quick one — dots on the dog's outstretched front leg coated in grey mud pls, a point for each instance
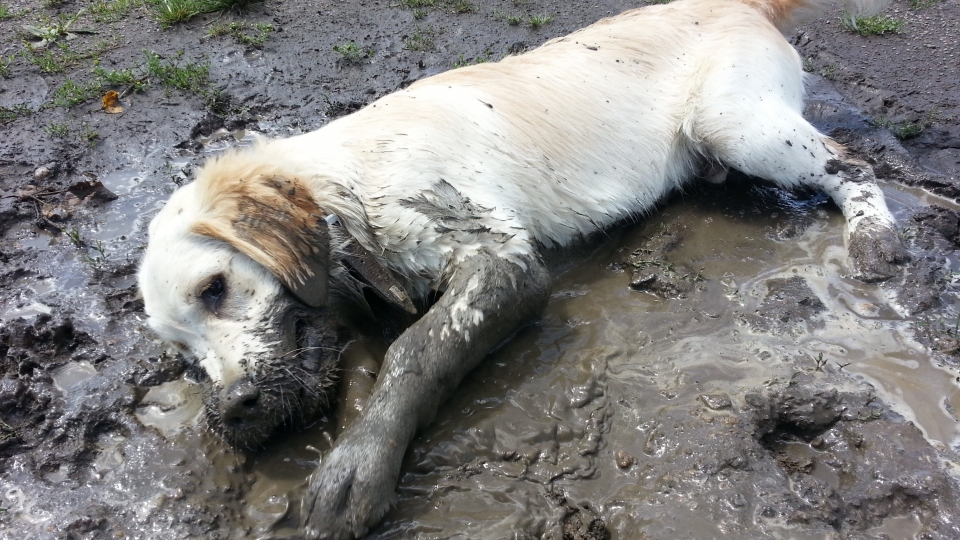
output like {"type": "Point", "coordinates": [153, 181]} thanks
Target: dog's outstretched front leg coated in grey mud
{"type": "Point", "coordinates": [488, 299]}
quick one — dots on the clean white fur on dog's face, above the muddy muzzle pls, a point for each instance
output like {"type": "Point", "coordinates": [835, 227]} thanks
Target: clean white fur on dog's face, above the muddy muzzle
{"type": "Point", "coordinates": [176, 268]}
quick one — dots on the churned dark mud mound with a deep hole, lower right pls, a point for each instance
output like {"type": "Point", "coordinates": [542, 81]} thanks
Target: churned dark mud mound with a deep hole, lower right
{"type": "Point", "coordinates": [850, 465]}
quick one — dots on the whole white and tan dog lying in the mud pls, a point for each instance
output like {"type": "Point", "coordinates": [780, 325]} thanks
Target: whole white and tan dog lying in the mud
{"type": "Point", "coordinates": [434, 205]}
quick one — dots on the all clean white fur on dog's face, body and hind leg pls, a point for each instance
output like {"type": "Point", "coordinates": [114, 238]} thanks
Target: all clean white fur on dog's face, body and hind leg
{"type": "Point", "coordinates": [578, 135]}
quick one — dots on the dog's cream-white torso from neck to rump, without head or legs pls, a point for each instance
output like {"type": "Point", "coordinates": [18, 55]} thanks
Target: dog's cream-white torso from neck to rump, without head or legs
{"type": "Point", "coordinates": [586, 131]}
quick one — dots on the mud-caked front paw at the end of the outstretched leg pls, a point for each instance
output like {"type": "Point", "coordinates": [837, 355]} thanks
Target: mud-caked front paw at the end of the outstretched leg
{"type": "Point", "coordinates": [350, 491]}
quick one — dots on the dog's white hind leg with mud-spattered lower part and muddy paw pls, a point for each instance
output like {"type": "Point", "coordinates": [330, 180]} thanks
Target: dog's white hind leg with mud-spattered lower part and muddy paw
{"type": "Point", "coordinates": [776, 143]}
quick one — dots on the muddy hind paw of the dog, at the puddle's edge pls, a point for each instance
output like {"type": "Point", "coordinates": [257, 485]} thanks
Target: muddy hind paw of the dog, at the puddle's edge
{"type": "Point", "coordinates": [876, 253]}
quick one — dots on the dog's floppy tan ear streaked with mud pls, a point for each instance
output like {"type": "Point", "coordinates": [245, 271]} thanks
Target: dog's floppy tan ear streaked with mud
{"type": "Point", "coordinates": [277, 223]}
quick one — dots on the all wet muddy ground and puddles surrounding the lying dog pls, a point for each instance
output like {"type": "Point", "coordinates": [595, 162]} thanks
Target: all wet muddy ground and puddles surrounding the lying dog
{"type": "Point", "coordinates": [98, 429]}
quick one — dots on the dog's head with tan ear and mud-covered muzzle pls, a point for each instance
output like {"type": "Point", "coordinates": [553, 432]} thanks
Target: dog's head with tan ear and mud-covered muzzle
{"type": "Point", "coordinates": [235, 276]}
